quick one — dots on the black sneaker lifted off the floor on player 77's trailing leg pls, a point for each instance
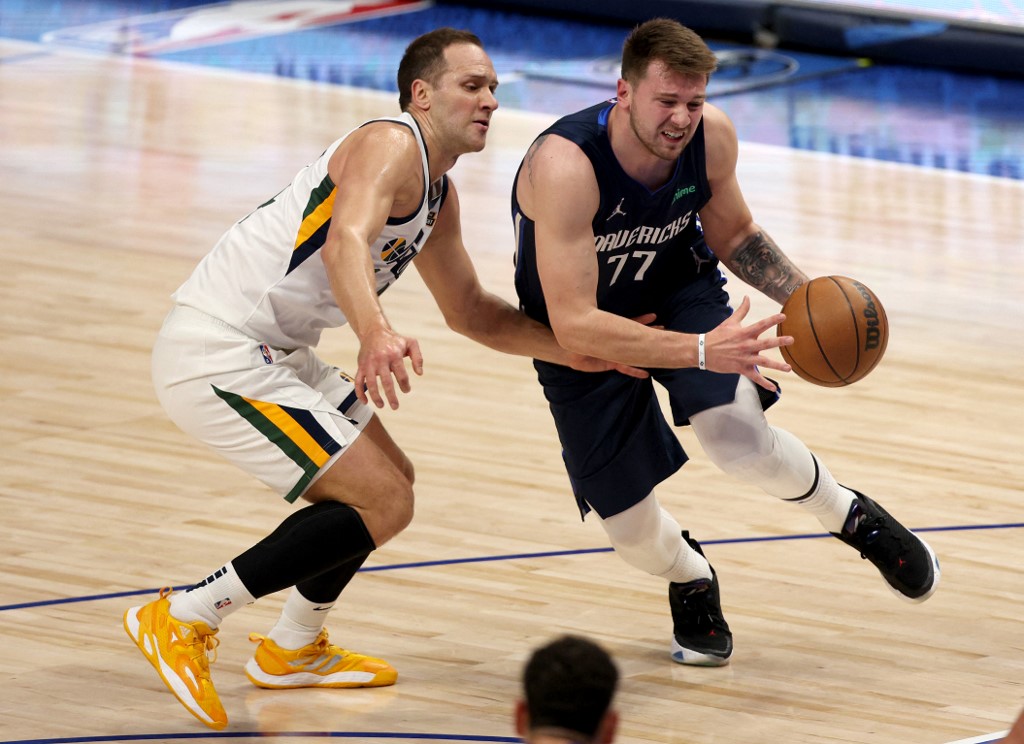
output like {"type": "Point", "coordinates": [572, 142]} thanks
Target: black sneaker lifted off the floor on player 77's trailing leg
{"type": "Point", "coordinates": [906, 561]}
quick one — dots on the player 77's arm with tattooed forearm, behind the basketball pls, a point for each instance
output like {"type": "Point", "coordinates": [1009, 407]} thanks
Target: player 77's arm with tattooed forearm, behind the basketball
{"type": "Point", "coordinates": [730, 229]}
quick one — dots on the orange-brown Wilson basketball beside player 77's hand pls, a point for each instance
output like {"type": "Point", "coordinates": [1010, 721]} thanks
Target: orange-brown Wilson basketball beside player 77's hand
{"type": "Point", "coordinates": [839, 328]}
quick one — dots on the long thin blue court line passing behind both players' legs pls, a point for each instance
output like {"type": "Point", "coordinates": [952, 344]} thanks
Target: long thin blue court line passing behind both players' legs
{"type": "Point", "coordinates": [513, 557]}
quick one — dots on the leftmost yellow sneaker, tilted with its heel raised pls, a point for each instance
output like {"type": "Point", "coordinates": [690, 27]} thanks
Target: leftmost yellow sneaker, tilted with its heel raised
{"type": "Point", "coordinates": [179, 651]}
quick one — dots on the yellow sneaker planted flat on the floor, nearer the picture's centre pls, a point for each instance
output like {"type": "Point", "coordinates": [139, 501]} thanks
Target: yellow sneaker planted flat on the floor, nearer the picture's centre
{"type": "Point", "coordinates": [319, 665]}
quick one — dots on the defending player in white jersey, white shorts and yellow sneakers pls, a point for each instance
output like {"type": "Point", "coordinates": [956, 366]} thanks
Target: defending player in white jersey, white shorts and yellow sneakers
{"type": "Point", "coordinates": [234, 367]}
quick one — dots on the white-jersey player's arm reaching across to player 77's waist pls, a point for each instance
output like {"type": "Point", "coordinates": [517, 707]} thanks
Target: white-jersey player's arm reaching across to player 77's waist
{"type": "Point", "coordinates": [474, 312]}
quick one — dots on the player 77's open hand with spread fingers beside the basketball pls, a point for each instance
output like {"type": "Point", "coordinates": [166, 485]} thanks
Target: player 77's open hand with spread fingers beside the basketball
{"type": "Point", "coordinates": [737, 348]}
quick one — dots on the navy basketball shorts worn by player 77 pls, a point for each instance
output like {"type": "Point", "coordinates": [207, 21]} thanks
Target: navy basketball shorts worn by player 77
{"type": "Point", "coordinates": [617, 444]}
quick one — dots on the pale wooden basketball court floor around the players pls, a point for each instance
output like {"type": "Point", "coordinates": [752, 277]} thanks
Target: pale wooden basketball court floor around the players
{"type": "Point", "coordinates": [116, 177]}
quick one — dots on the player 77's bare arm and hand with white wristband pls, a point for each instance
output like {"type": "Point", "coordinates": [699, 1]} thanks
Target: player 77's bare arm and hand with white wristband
{"type": "Point", "coordinates": [559, 191]}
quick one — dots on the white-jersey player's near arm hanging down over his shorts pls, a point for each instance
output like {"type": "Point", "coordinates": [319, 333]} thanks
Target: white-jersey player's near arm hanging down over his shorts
{"type": "Point", "coordinates": [378, 172]}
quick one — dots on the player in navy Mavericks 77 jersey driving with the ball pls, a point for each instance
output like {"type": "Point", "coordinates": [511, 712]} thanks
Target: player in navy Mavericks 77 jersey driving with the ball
{"type": "Point", "coordinates": [627, 208]}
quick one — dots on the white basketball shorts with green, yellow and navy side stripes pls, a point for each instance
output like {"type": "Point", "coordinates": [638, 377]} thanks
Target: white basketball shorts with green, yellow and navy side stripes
{"type": "Point", "coordinates": [283, 416]}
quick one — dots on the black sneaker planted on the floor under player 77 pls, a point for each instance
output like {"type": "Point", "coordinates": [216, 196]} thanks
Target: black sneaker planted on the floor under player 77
{"type": "Point", "coordinates": [700, 634]}
